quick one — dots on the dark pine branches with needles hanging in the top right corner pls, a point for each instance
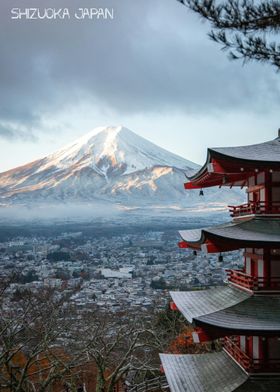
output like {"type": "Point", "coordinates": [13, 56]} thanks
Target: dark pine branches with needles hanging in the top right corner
{"type": "Point", "coordinates": [247, 29]}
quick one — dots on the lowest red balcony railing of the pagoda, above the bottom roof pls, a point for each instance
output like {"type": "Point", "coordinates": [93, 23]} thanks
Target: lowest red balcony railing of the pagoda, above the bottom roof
{"type": "Point", "coordinates": [251, 365]}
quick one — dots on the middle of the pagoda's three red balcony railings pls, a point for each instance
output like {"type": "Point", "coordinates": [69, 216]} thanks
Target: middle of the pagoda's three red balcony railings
{"type": "Point", "coordinates": [253, 283]}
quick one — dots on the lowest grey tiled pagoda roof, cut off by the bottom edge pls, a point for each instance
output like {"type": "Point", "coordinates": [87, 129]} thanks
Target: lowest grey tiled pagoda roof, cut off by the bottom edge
{"type": "Point", "coordinates": [212, 372]}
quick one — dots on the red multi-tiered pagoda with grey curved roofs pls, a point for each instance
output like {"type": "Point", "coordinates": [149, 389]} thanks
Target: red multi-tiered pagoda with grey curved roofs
{"type": "Point", "coordinates": [245, 312]}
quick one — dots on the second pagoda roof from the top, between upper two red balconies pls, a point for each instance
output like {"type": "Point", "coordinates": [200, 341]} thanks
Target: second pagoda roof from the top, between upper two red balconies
{"type": "Point", "coordinates": [254, 231]}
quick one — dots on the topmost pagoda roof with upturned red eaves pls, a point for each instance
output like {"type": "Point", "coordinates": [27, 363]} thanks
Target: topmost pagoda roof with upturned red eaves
{"type": "Point", "coordinates": [233, 165]}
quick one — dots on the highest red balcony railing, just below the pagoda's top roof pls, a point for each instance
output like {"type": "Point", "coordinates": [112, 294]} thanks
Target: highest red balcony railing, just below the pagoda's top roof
{"type": "Point", "coordinates": [258, 208]}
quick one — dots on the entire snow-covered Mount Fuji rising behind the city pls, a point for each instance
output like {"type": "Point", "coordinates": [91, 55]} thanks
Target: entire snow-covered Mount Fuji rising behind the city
{"type": "Point", "coordinates": [109, 164]}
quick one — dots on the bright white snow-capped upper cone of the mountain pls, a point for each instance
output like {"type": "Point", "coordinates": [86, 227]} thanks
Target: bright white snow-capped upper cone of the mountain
{"type": "Point", "coordinates": [110, 149]}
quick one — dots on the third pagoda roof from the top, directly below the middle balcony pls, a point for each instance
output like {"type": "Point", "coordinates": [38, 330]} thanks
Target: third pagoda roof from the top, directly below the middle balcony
{"type": "Point", "coordinates": [231, 308]}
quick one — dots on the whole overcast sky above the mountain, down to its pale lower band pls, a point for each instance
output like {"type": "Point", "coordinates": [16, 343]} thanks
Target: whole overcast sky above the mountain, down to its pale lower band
{"type": "Point", "coordinates": [152, 69]}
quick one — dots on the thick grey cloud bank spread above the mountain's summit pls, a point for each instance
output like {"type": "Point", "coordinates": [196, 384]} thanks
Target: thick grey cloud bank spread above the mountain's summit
{"type": "Point", "coordinates": [152, 58]}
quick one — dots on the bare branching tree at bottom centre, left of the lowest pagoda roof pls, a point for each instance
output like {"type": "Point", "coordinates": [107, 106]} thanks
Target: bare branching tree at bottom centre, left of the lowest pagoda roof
{"type": "Point", "coordinates": [117, 345]}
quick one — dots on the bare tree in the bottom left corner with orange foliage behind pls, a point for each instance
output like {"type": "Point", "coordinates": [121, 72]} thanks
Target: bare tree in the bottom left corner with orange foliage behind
{"type": "Point", "coordinates": [30, 329]}
